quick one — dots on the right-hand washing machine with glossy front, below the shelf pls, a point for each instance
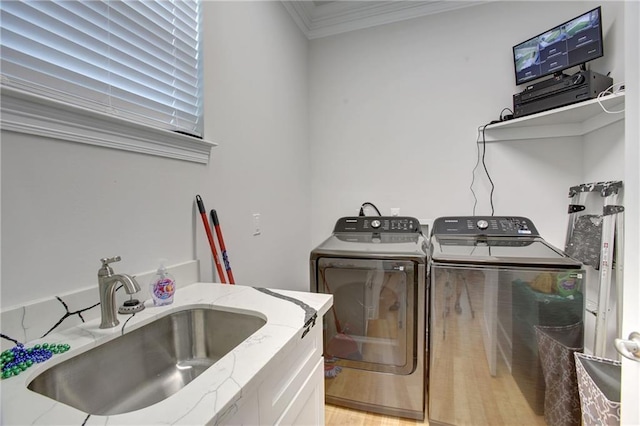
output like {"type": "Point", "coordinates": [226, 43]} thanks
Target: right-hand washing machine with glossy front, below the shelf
{"type": "Point", "coordinates": [493, 282]}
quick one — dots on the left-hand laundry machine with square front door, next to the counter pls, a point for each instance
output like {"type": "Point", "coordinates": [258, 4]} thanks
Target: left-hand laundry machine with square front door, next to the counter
{"type": "Point", "coordinates": [375, 334]}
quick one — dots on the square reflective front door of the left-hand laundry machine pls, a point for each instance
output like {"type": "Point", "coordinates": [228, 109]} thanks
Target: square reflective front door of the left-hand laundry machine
{"type": "Point", "coordinates": [373, 319]}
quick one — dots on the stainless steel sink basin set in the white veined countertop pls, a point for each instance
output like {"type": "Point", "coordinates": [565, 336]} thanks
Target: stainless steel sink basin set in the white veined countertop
{"type": "Point", "coordinates": [148, 364]}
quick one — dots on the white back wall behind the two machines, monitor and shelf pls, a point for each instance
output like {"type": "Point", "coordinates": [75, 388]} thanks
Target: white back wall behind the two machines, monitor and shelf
{"type": "Point", "coordinates": [395, 111]}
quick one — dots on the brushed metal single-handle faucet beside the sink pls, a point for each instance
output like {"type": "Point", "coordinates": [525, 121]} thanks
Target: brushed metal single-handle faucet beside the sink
{"type": "Point", "coordinates": [107, 282]}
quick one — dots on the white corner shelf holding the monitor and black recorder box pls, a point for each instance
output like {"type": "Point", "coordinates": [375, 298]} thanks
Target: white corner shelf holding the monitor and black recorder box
{"type": "Point", "coordinates": [572, 120]}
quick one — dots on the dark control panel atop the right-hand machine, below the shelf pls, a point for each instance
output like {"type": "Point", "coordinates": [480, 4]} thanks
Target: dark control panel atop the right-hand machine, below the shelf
{"type": "Point", "coordinates": [505, 226]}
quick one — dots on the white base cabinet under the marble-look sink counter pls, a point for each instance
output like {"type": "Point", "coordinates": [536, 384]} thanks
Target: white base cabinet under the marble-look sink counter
{"type": "Point", "coordinates": [293, 391]}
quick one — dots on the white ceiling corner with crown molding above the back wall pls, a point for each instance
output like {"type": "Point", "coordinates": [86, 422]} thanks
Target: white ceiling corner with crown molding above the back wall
{"type": "Point", "coordinates": [324, 18]}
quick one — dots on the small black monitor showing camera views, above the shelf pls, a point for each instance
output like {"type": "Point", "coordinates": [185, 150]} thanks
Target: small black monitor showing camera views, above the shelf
{"type": "Point", "coordinates": [572, 43]}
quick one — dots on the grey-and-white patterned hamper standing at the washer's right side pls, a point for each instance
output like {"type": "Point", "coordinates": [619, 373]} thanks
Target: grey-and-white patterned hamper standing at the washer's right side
{"type": "Point", "coordinates": [599, 386]}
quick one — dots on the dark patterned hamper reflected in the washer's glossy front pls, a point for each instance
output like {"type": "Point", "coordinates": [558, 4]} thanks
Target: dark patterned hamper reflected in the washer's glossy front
{"type": "Point", "coordinates": [556, 348]}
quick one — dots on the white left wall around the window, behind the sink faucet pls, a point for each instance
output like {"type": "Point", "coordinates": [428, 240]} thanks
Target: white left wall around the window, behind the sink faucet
{"type": "Point", "coordinates": [66, 205]}
